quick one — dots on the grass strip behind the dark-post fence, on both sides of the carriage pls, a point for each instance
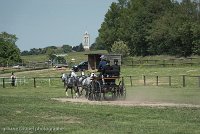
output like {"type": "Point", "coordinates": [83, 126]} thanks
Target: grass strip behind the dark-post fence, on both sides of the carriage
{"type": "Point", "coordinates": [176, 74]}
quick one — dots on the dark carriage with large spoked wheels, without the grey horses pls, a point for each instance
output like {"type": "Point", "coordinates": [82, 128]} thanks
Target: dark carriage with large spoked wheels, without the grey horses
{"type": "Point", "coordinates": [107, 86]}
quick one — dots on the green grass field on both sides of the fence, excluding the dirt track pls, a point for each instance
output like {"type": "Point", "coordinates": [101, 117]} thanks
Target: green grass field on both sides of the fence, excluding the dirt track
{"type": "Point", "coordinates": [25, 109]}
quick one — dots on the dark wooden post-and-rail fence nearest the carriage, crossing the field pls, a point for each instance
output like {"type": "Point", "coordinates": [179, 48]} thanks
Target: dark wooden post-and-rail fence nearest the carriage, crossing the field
{"type": "Point", "coordinates": [144, 80]}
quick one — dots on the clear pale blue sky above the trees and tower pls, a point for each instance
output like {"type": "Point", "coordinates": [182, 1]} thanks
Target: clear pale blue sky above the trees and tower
{"type": "Point", "coordinates": [42, 23]}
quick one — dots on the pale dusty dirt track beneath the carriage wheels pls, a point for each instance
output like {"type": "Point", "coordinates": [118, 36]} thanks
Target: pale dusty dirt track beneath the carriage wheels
{"type": "Point", "coordinates": [125, 103]}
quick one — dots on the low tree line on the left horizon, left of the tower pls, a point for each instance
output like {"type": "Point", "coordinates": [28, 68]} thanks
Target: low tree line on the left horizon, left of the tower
{"type": "Point", "coordinates": [10, 54]}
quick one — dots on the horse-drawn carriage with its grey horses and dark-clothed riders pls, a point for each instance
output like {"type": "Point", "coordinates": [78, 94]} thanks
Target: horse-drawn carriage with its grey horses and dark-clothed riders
{"type": "Point", "coordinates": [108, 85]}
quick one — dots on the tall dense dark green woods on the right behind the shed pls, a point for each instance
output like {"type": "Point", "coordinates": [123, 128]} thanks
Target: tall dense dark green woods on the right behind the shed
{"type": "Point", "coordinates": [155, 27]}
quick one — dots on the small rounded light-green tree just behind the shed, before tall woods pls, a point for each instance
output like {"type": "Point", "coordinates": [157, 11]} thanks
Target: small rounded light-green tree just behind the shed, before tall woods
{"type": "Point", "coordinates": [119, 47]}
